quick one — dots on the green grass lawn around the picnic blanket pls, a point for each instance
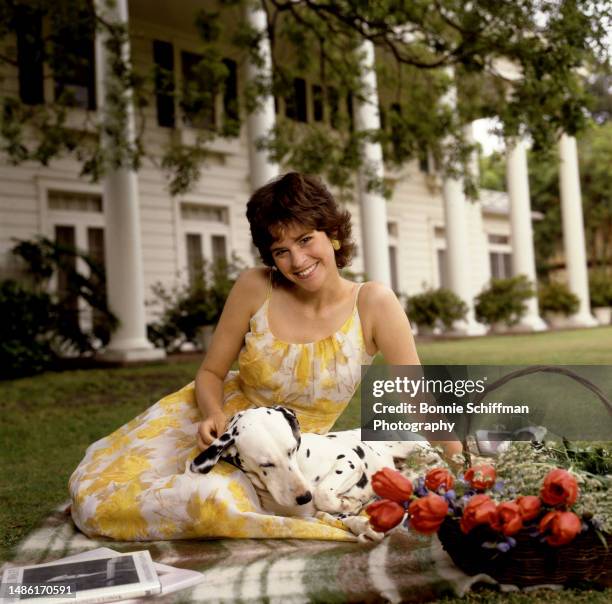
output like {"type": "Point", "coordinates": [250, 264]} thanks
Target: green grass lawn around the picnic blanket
{"type": "Point", "coordinates": [48, 420]}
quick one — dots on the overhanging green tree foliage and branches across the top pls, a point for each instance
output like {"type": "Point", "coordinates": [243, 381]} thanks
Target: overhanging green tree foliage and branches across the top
{"type": "Point", "coordinates": [417, 42]}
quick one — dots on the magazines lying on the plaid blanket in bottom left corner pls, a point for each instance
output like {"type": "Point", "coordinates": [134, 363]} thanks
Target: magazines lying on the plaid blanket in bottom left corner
{"type": "Point", "coordinates": [99, 575]}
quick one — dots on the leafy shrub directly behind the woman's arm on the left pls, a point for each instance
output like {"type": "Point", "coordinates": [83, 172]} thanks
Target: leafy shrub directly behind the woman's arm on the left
{"type": "Point", "coordinates": [187, 308]}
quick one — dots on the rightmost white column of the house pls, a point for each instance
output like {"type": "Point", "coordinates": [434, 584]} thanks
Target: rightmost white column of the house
{"type": "Point", "coordinates": [573, 230]}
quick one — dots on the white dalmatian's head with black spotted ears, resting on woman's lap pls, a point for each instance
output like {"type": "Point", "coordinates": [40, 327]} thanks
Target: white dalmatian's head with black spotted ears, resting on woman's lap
{"type": "Point", "coordinates": [263, 443]}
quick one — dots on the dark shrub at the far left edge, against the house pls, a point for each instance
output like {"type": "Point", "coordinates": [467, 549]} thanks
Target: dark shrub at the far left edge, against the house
{"type": "Point", "coordinates": [25, 330]}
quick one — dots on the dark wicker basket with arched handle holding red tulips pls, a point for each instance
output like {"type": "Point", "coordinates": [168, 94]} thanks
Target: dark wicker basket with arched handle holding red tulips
{"type": "Point", "coordinates": [532, 562]}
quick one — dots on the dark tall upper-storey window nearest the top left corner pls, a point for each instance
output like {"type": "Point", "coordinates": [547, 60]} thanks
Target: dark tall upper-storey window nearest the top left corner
{"type": "Point", "coordinates": [28, 27]}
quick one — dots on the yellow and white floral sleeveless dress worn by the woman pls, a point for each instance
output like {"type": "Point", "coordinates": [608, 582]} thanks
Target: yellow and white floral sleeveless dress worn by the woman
{"type": "Point", "coordinates": [132, 485]}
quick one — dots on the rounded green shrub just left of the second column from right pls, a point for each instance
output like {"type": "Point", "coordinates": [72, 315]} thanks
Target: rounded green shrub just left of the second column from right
{"type": "Point", "coordinates": [504, 301]}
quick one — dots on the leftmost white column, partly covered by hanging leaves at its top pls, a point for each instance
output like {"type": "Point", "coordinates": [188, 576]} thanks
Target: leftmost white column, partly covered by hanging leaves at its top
{"type": "Point", "coordinates": [123, 250]}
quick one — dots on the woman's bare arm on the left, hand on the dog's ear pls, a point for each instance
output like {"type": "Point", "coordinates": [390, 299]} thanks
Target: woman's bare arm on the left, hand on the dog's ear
{"type": "Point", "coordinates": [245, 297]}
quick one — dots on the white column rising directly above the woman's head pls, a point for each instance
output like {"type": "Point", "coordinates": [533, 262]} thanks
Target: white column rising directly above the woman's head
{"type": "Point", "coordinates": [261, 121]}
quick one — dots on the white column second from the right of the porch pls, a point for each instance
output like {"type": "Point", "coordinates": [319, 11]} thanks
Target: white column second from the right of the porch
{"type": "Point", "coordinates": [523, 255]}
